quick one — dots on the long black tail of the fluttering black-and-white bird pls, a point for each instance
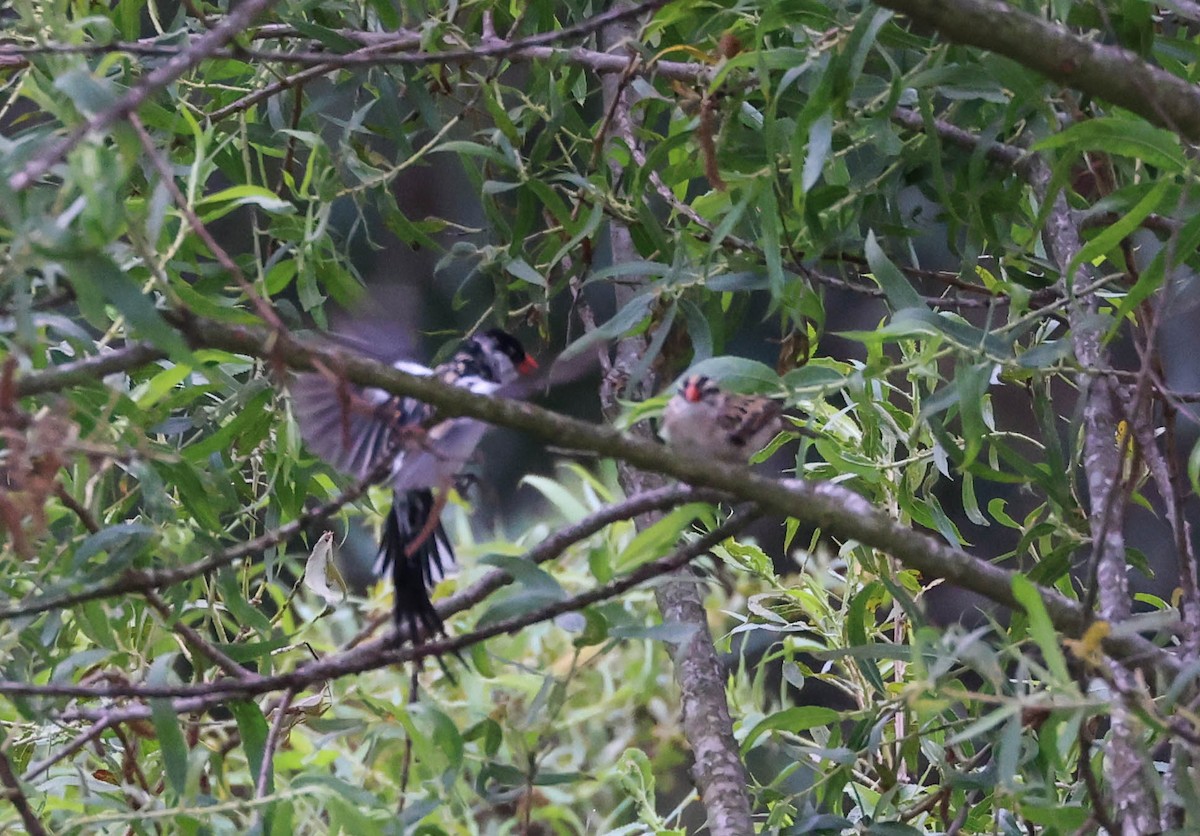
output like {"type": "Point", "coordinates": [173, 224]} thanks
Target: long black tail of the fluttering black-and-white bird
{"type": "Point", "coordinates": [415, 576]}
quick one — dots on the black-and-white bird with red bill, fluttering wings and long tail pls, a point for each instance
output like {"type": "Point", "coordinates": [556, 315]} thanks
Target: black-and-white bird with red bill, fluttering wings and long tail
{"type": "Point", "coordinates": [353, 429]}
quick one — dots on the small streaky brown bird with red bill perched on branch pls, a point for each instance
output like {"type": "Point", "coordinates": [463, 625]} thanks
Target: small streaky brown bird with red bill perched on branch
{"type": "Point", "coordinates": [704, 420]}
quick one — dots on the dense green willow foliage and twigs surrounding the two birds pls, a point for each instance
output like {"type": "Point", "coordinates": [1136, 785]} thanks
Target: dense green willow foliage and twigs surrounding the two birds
{"type": "Point", "coordinates": [961, 274]}
